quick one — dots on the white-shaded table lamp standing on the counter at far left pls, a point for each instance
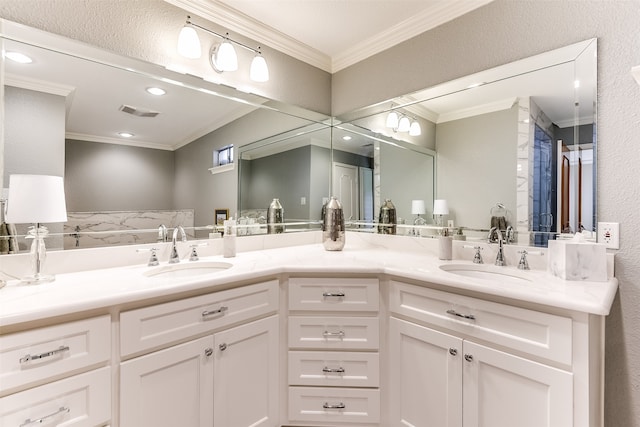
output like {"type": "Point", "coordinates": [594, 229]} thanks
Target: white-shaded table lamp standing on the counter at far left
{"type": "Point", "coordinates": [36, 199]}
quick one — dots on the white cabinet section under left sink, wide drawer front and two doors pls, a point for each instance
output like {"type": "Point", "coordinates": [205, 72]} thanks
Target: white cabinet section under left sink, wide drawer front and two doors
{"type": "Point", "coordinates": [225, 373]}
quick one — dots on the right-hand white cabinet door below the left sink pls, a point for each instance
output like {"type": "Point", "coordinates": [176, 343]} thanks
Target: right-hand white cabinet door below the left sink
{"type": "Point", "coordinates": [246, 375]}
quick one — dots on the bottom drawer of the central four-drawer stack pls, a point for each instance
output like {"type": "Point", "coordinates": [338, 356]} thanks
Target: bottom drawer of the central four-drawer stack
{"type": "Point", "coordinates": [334, 405]}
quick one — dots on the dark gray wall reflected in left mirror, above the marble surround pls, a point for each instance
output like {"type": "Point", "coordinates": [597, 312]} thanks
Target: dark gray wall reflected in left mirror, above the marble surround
{"type": "Point", "coordinates": [108, 177]}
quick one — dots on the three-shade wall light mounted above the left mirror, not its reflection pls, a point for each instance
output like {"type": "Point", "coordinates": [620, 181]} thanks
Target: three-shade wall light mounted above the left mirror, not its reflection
{"type": "Point", "coordinates": [222, 56]}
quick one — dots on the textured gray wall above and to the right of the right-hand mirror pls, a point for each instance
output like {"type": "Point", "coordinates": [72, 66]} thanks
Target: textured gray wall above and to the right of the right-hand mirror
{"type": "Point", "coordinates": [507, 30]}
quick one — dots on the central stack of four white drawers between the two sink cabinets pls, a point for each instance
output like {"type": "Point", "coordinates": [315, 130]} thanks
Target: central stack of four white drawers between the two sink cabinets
{"type": "Point", "coordinates": [333, 358]}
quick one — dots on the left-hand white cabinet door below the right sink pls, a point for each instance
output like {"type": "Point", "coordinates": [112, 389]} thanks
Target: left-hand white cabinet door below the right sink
{"type": "Point", "coordinates": [425, 376]}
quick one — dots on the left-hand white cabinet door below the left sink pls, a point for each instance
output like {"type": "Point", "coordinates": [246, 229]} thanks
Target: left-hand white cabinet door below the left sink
{"type": "Point", "coordinates": [171, 387]}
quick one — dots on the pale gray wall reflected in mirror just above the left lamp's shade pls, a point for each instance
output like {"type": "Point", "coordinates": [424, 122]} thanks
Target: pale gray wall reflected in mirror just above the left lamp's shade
{"type": "Point", "coordinates": [29, 148]}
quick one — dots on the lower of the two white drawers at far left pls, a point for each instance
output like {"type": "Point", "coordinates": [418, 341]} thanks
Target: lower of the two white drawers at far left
{"type": "Point", "coordinates": [83, 400]}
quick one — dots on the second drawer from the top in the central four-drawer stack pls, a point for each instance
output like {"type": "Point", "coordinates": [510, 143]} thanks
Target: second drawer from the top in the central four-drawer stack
{"type": "Point", "coordinates": [358, 333]}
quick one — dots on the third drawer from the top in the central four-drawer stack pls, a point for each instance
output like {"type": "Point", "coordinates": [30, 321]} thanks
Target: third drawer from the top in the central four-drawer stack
{"type": "Point", "coordinates": [330, 368]}
